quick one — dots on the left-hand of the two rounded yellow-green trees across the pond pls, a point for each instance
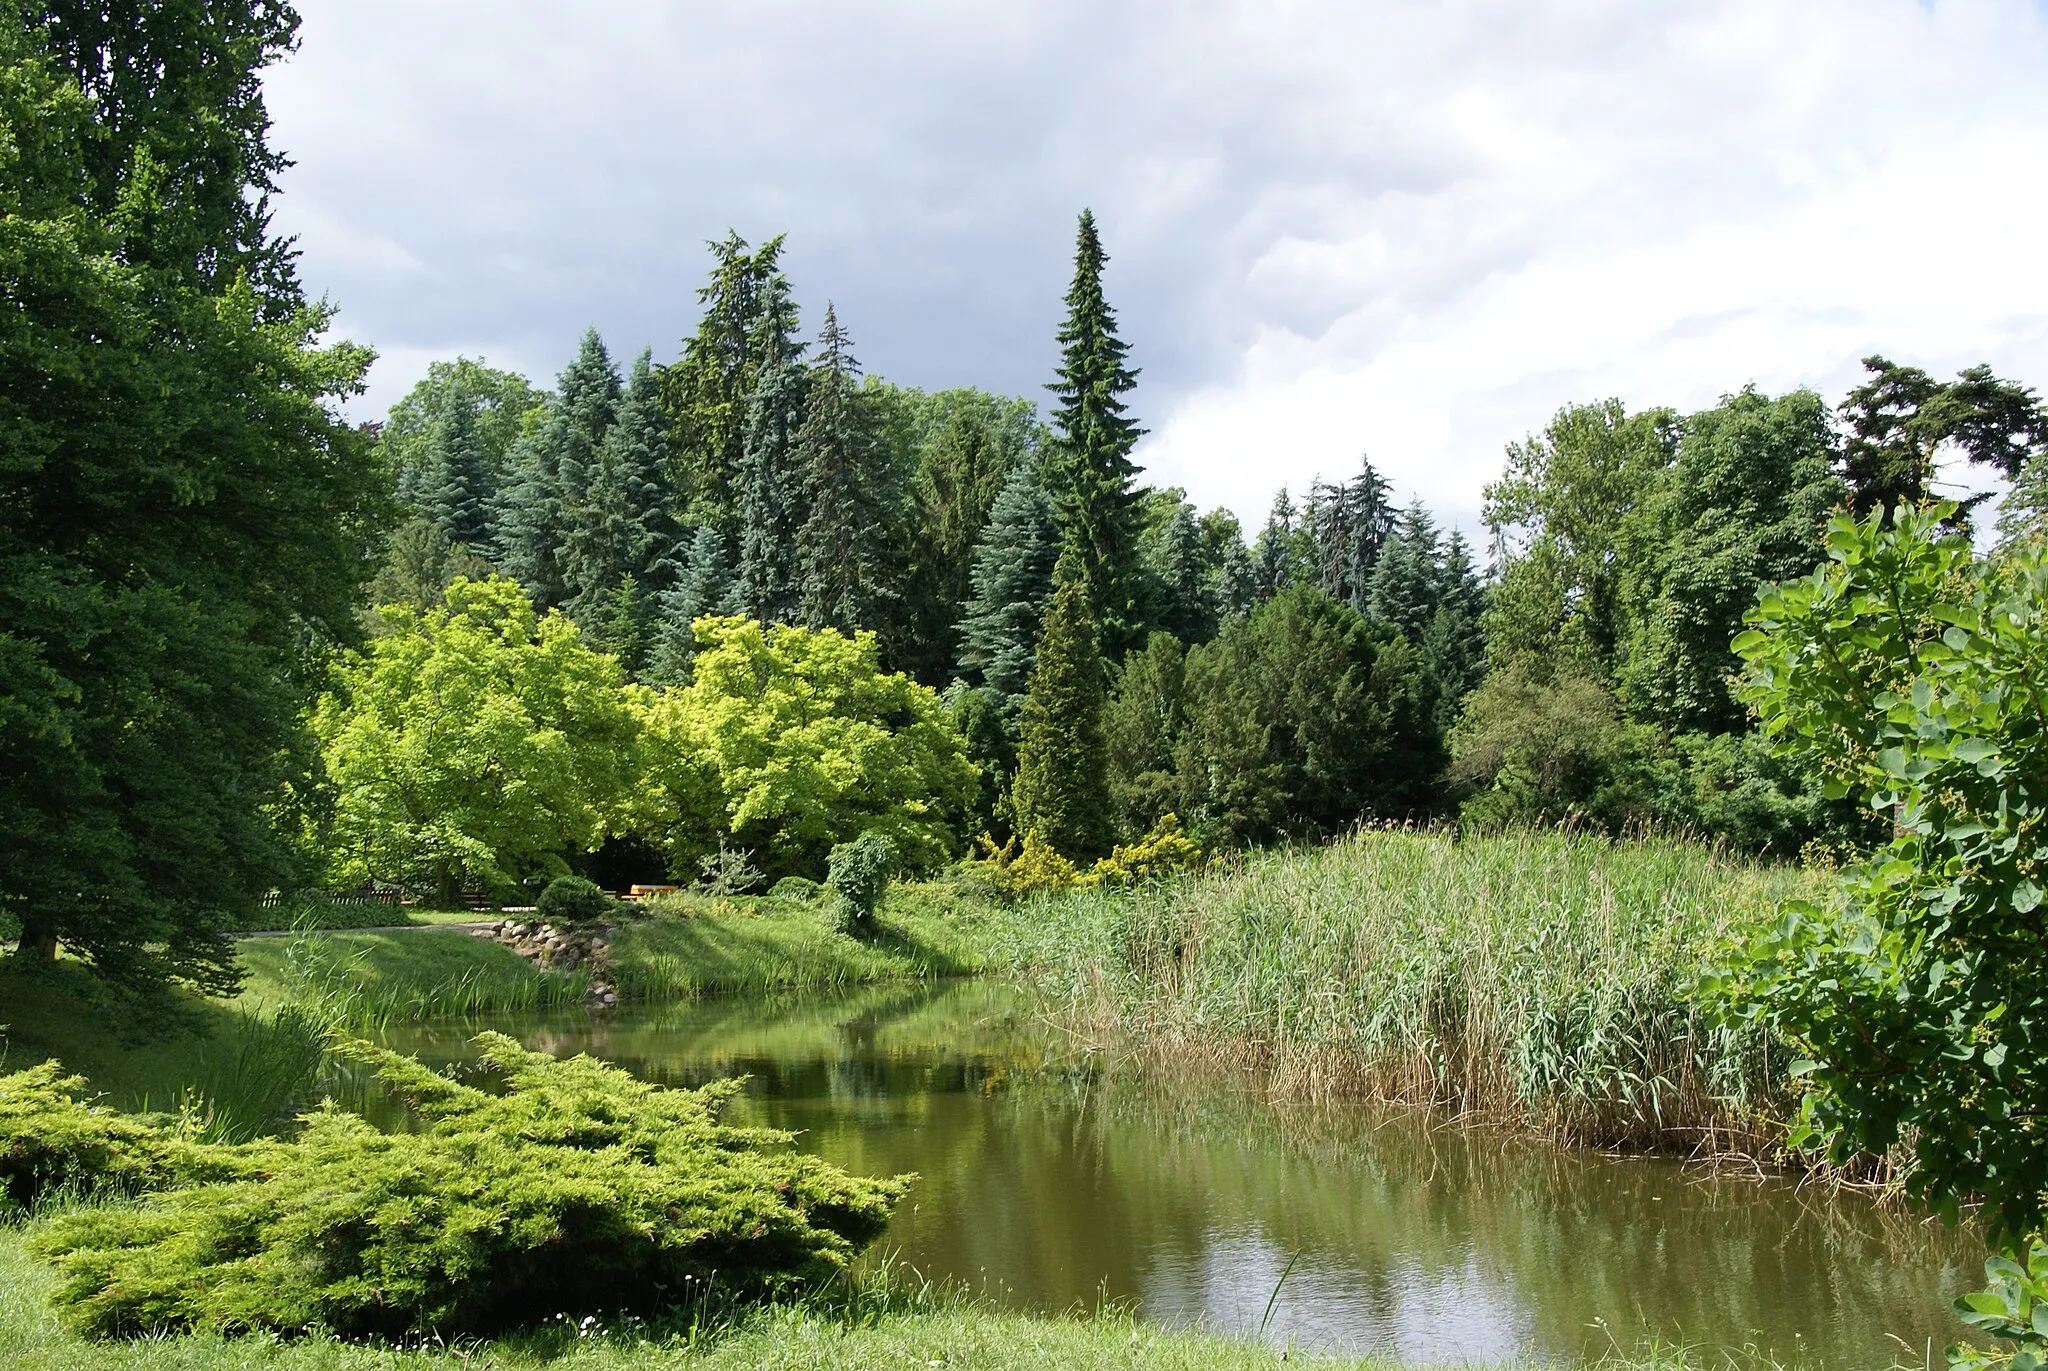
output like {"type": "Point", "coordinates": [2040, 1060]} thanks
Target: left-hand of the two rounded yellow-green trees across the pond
{"type": "Point", "coordinates": [474, 747]}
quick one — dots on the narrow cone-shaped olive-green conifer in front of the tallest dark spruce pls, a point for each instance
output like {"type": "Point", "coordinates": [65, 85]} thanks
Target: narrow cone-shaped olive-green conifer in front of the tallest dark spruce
{"type": "Point", "coordinates": [1062, 790]}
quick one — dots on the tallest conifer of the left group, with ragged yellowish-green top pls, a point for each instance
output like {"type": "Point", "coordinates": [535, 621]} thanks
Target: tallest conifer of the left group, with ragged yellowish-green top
{"type": "Point", "coordinates": [746, 327]}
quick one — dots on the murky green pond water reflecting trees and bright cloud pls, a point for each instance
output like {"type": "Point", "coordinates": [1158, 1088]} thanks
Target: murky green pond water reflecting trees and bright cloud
{"type": "Point", "coordinates": [1054, 1181]}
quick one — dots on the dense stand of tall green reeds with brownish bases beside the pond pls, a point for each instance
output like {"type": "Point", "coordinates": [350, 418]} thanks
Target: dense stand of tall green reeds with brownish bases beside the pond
{"type": "Point", "coordinates": [1539, 979]}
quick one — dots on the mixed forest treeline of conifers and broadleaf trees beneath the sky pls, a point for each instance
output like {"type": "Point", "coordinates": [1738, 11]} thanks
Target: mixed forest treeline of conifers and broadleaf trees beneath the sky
{"type": "Point", "coordinates": [1349, 661]}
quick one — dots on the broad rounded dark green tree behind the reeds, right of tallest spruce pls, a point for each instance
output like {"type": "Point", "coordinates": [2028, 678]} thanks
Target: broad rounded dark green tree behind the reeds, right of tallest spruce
{"type": "Point", "coordinates": [1304, 720]}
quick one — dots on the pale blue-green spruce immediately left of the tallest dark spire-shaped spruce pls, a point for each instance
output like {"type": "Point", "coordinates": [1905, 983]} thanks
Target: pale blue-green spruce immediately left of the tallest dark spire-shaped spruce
{"type": "Point", "coordinates": [1013, 587]}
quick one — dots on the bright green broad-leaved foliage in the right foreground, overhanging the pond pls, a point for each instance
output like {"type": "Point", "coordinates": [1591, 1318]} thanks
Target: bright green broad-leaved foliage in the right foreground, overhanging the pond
{"type": "Point", "coordinates": [1916, 679]}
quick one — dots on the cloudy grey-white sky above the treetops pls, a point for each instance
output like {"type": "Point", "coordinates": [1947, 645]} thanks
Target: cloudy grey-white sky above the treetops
{"type": "Point", "coordinates": [1402, 228]}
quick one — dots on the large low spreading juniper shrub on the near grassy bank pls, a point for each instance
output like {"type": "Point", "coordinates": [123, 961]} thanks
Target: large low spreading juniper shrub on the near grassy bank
{"type": "Point", "coordinates": [568, 1190]}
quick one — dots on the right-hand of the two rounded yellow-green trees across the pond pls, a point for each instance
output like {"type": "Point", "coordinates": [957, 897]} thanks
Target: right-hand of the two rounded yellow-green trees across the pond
{"type": "Point", "coordinates": [790, 741]}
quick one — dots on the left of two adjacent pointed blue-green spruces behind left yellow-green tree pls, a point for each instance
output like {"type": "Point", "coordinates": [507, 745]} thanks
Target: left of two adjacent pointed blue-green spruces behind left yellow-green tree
{"type": "Point", "coordinates": [550, 470]}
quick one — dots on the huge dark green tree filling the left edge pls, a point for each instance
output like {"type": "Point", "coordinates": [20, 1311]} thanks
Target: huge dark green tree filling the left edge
{"type": "Point", "coordinates": [183, 515]}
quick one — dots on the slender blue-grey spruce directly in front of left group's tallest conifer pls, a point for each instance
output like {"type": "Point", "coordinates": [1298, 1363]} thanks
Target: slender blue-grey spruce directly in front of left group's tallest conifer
{"type": "Point", "coordinates": [771, 497]}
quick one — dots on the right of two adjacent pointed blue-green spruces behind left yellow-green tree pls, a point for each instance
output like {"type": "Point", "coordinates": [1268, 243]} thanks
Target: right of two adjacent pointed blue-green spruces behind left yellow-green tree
{"type": "Point", "coordinates": [622, 526]}
